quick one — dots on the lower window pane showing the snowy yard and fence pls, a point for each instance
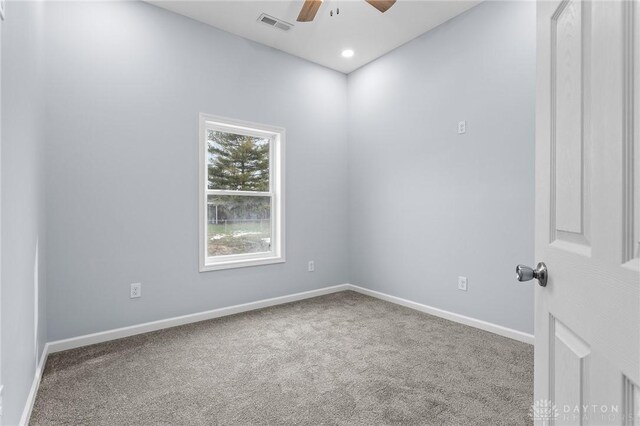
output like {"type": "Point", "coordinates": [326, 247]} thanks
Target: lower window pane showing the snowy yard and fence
{"type": "Point", "coordinates": [238, 224]}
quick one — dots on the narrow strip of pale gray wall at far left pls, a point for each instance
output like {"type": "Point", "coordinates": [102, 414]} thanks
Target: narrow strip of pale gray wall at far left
{"type": "Point", "coordinates": [23, 210]}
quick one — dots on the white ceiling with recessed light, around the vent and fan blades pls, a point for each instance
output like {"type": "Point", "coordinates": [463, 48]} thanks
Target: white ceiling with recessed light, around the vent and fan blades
{"type": "Point", "coordinates": [359, 26]}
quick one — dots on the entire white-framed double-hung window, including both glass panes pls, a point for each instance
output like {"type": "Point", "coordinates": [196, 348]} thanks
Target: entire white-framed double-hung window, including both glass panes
{"type": "Point", "coordinates": [241, 194]}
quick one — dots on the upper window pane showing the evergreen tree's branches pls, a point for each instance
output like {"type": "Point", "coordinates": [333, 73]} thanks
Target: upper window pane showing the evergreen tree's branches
{"type": "Point", "coordinates": [237, 162]}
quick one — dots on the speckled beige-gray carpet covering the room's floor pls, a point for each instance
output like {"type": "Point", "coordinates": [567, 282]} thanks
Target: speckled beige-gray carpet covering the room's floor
{"type": "Point", "coordinates": [340, 359]}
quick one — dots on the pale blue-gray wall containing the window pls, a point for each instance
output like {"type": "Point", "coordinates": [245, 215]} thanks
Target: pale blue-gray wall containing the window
{"type": "Point", "coordinates": [125, 84]}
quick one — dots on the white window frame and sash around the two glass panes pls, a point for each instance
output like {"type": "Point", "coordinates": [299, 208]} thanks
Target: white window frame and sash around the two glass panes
{"type": "Point", "coordinates": [276, 192]}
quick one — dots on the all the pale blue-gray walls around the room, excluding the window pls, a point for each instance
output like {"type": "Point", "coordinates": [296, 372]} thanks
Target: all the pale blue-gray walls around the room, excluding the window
{"type": "Point", "coordinates": [100, 110]}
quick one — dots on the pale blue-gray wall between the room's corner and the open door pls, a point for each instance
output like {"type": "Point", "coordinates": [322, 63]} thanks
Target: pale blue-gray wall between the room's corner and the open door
{"type": "Point", "coordinates": [427, 204]}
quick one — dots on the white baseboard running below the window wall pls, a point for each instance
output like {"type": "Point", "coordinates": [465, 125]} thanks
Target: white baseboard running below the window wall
{"type": "Point", "coordinates": [118, 333]}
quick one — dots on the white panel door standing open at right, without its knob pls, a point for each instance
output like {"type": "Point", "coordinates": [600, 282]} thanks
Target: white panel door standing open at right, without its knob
{"type": "Point", "coordinates": [587, 353]}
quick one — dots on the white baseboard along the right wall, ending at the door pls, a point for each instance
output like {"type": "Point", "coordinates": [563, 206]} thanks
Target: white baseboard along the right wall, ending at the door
{"type": "Point", "coordinates": [483, 325]}
